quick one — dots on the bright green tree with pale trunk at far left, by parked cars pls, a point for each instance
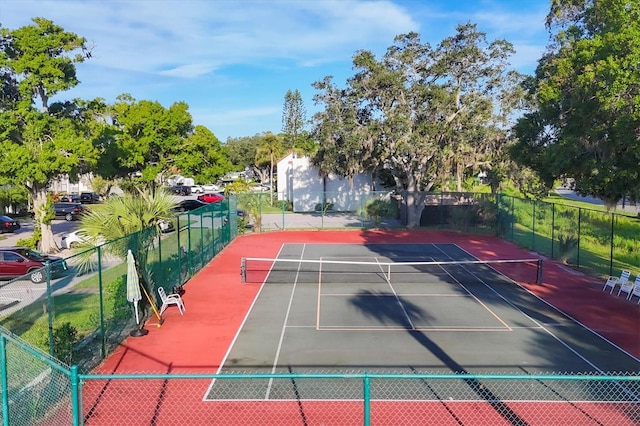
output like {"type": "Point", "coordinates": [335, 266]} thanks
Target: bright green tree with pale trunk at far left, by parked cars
{"type": "Point", "coordinates": [39, 142]}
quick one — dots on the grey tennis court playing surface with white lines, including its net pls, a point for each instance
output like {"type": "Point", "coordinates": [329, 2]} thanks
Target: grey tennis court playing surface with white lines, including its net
{"type": "Point", "coordinates": [406, 308]}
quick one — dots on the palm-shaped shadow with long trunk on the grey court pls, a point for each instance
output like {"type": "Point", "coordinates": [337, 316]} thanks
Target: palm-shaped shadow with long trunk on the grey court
{"type": "Point", "coordinates": [403, 313]}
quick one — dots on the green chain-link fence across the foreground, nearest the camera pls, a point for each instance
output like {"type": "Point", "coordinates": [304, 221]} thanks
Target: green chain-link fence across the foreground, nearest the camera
{"type": "Point", "coordinates": [38, 389]}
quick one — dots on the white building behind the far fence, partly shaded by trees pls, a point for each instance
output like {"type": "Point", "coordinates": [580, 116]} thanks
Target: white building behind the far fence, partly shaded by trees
{"type": "Point", "coordinates": [302, 184]}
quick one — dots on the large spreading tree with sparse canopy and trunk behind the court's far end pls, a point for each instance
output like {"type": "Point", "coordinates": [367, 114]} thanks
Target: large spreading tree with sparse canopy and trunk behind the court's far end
{"type": "Point", "coordinates": [426, 115]}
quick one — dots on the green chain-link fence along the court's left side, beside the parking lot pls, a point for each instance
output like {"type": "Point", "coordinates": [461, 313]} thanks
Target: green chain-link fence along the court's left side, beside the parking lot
{"type": "Point", "coordinates": [79, 311]}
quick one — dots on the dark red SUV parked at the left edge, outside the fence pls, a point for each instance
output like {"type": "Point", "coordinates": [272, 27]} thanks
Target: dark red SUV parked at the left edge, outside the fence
{"type": "Point", "coordinates": [18, 261]}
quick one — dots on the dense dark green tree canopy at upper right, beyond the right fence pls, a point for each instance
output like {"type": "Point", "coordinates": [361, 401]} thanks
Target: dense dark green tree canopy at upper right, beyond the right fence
{"type": "Point", "coordinates": [584, 122]}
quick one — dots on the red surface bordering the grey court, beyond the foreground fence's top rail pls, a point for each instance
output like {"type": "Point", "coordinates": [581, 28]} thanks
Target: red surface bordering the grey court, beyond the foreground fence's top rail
{"type": "Point", "coordinates": [217, 301]}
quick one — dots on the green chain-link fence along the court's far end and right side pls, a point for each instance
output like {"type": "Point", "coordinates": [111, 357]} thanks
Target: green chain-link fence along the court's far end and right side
{"type": "Point", "coordinates": [597, 242]}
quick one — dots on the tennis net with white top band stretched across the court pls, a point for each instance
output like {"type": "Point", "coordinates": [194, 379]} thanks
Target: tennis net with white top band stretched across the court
{"type": "Point", "coordinates": [265, 270]}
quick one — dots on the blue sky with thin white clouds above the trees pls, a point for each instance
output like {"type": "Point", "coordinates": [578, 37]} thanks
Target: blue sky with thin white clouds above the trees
{"type": "Point", "coordinates": [233, 61]}
